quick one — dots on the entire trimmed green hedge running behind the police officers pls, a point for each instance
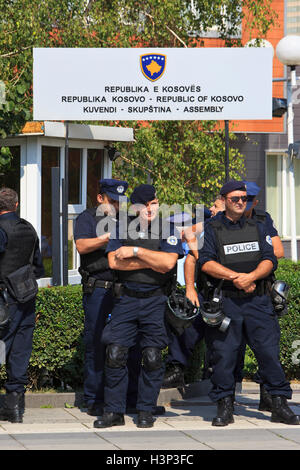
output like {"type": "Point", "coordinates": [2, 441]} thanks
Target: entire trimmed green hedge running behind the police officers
{"type": "Point", "coordinates": [57, 357]}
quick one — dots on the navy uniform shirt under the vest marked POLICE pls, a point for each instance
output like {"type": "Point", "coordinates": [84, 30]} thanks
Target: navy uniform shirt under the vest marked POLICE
{"type": "Point", "coordinates": [209, 251]}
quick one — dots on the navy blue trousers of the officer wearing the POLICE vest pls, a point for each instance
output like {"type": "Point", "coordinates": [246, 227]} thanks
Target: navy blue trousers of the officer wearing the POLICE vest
{"type": "Point", "coordinates": [254, 319]}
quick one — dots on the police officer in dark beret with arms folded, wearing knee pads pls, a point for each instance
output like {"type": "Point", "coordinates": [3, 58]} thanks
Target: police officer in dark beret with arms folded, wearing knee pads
{"type": "Point", "coordinates": [144, 259]}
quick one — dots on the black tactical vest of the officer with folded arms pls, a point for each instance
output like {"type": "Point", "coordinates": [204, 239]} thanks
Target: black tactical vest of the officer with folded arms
{"type": "Point", "coordinates": [146, 276]}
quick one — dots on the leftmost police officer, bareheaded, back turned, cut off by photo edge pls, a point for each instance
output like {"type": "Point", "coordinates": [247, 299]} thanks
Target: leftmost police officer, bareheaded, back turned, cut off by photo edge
{"type": "Point", "coordinates": [20, 266]}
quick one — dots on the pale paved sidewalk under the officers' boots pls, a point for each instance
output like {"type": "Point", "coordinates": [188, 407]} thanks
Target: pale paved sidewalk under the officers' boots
{"type": "Point", "coordinates": [185, 426]}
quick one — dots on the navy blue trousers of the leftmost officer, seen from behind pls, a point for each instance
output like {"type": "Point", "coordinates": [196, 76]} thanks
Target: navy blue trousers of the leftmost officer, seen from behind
{"type": "Point", "coordinates": [18, 344]}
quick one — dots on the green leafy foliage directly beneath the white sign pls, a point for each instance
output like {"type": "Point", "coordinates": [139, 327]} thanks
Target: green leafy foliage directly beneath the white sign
{"type": "Point", "coordinates": [183, 160]}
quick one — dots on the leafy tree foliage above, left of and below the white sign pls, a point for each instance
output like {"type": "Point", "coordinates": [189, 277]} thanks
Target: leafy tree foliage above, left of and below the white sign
{"type": "Point", "coordinates": [25, 24]}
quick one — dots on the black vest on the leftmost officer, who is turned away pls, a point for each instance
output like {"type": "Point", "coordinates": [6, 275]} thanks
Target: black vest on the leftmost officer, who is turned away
{"type": "Point", "coordinates": [21, 238]}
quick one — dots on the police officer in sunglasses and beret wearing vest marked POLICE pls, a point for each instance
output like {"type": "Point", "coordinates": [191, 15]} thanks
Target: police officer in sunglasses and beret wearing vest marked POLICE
{"type": "Point", "coordinates": [235, 250]}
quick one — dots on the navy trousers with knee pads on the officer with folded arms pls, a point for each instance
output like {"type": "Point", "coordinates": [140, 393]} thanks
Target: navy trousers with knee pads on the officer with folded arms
{"type": "Point", "coordinates": [133, 319]}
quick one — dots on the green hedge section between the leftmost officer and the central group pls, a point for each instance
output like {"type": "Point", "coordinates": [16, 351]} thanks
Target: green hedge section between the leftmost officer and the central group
{"type": "Point", "coordinates": [57, 356]}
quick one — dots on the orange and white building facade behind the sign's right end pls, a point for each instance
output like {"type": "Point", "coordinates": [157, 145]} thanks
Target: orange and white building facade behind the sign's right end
{"type": "Point", "coordinates": [265, 142]}
